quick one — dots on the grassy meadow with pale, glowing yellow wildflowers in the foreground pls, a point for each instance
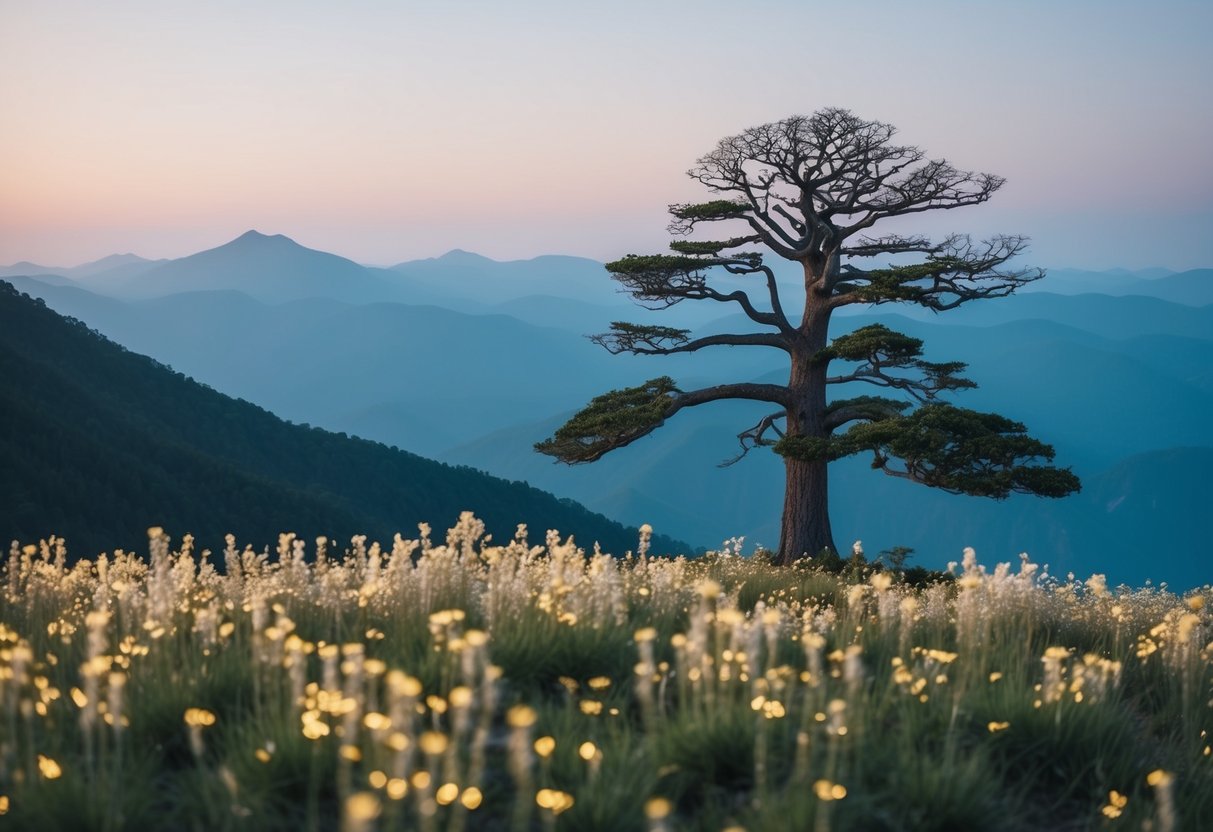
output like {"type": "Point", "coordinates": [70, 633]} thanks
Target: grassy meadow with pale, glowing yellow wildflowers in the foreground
{"type": "Point", "coordinates": [476, 685]}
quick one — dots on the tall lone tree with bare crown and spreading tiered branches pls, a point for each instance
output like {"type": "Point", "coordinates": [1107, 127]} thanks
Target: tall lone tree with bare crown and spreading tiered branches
{"type": "Point", "coordinates": [808, 190]}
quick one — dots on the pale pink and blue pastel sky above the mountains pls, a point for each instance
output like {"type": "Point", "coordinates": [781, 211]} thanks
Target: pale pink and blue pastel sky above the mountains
{"type": "Point", "coordinates": [394, 130]}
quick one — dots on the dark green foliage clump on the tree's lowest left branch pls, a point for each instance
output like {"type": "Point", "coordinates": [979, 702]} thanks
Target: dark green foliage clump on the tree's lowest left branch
{"type": "Point", "coordinates": [612, 421]}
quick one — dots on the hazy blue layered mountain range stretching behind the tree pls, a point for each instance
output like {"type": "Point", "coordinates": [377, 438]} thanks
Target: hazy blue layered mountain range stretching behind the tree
{"type": "Point", "coordinates": [471, 361]}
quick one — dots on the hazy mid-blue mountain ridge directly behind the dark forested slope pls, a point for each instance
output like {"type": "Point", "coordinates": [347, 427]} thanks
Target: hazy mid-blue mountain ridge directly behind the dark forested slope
{"type": "Point", "coordinates": [420, 378]}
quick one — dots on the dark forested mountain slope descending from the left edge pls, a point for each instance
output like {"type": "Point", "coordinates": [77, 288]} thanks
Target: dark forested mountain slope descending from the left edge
{"type": "Point", "coordinates": [99, 443]}
